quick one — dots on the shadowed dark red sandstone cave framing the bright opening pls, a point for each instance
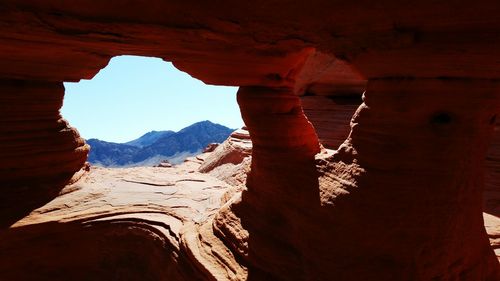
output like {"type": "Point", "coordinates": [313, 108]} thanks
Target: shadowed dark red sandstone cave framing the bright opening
{"type": "Point", "coordinates": [375, 142]}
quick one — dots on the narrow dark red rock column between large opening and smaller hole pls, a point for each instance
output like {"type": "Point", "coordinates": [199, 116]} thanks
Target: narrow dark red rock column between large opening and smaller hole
{"type": "Point", "coordinates": [283, 179]}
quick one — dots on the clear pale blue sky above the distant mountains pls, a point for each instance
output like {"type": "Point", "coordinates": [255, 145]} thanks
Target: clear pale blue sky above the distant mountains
{"type": "Point", "coordinates": [134, 95]}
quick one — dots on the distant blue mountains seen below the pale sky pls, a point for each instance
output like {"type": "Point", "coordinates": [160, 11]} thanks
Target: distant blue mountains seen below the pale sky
{"type": "Point", "coordinates": [155, 146]}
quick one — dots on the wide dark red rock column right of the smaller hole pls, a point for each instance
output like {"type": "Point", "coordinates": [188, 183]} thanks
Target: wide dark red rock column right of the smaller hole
{"type": "Point", "coordinates": [402, 198]}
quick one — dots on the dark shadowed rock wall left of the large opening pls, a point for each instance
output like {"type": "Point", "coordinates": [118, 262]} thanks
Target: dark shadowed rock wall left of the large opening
{"type": "Point", "coordinates": [40, 152]}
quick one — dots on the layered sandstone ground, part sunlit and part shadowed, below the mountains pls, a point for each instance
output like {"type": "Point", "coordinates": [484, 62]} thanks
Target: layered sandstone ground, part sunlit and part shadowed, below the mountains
{"type": "Point", "coordinates": [142, 223]}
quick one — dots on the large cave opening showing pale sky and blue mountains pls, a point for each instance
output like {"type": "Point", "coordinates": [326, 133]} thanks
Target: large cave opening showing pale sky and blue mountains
{"type": "Point", "coordinates": [142, 111]}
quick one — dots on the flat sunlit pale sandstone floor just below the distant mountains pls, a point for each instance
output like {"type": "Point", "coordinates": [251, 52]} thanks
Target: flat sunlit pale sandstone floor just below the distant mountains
{"type": "Point", "coordinates": [179, 193]}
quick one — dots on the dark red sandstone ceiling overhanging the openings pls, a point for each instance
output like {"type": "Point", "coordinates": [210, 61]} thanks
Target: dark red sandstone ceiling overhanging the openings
{"type": "Point", "coordinates": [383, 39]}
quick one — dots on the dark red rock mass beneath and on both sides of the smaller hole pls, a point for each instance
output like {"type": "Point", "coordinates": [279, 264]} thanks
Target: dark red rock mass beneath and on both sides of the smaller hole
{"type": "Point", "coordinates": [401, 199]}
